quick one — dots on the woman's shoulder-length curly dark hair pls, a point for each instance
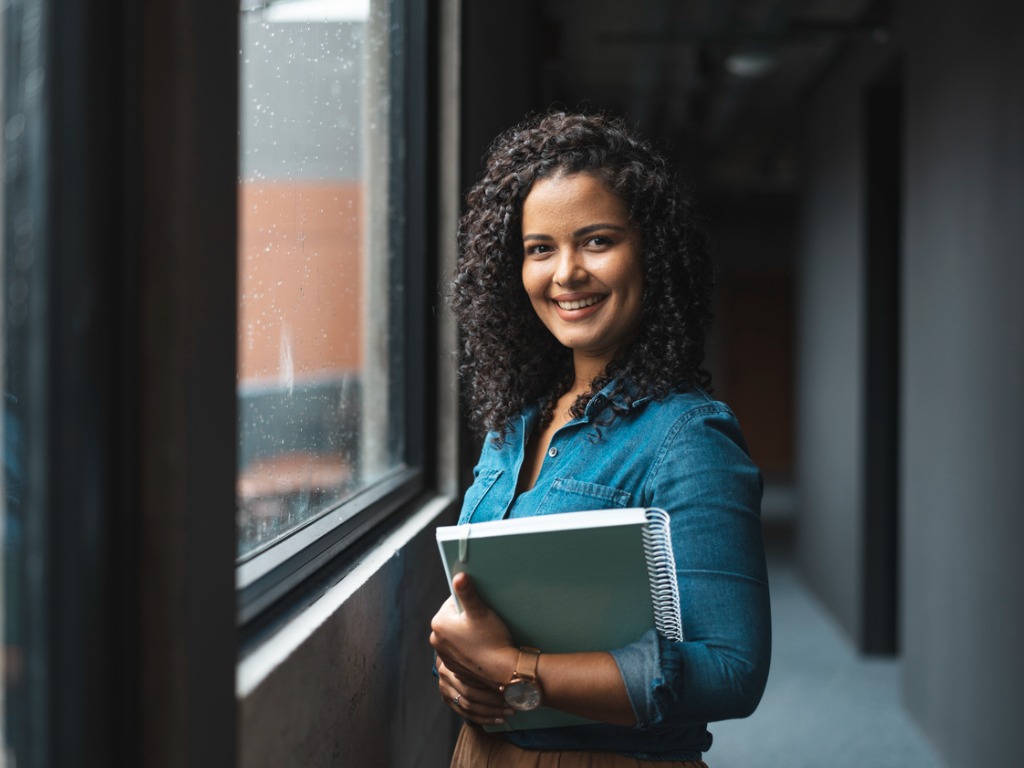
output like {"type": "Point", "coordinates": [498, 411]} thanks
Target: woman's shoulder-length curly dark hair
{"type": "Point", "coordinates": [508, 359]}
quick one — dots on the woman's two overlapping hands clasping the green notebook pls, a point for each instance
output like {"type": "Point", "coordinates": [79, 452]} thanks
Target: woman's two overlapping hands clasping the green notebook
{"type": "Point", "coordinates": [475, 656]}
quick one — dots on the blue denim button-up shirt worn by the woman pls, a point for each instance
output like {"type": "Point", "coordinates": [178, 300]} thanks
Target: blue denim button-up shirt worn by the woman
{"type": "Point", "coordinates": [686, 455]}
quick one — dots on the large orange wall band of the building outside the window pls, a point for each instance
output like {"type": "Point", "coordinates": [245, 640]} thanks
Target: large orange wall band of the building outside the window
{"type": "Point", "coordinates": [301, 279]}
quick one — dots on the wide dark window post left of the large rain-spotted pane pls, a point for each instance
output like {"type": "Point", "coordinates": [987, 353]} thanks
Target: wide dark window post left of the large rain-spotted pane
{"type": "Point", "coordinates": [131, 451]}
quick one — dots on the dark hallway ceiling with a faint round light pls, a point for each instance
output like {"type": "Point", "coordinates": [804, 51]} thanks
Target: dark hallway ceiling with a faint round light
{"type": "Point", "coordinates": [719, 83]}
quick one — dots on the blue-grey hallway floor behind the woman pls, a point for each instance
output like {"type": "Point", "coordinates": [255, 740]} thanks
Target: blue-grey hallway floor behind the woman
{"type": "Point", "coordinates": [826, 706]}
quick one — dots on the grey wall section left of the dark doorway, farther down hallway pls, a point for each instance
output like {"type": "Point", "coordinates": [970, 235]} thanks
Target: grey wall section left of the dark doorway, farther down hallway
{"type": "Point", "coordinates": [831, 324]}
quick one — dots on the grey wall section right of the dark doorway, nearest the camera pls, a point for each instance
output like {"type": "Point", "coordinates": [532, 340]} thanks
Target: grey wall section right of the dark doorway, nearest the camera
{"type": "Point", "coordinates": [963, 421]}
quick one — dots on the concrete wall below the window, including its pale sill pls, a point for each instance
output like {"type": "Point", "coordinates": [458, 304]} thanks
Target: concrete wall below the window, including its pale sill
{"type": "Point", "coordinates": [349, 682]}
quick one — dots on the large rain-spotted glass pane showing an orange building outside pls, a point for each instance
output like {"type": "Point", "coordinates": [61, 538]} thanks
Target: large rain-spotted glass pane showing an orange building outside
{"type": "Point", "coordinates": [318, 325]}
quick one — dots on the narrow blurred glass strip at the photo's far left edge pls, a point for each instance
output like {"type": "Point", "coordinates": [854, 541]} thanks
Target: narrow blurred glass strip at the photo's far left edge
{"type": "Point", "coordinates": [23, 349]}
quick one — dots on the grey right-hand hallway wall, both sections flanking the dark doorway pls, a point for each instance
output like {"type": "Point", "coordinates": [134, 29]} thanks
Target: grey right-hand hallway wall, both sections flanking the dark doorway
{"type": "Point", "coordinates": [962, 443]}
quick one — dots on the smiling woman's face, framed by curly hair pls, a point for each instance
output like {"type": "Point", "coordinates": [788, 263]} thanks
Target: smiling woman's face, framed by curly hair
{"type": "Point", "coordinates": [582, 266]}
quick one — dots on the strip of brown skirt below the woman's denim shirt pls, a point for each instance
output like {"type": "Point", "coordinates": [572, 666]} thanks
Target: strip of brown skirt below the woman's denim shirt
{"type": "Point", "coordinates": [477, 749]}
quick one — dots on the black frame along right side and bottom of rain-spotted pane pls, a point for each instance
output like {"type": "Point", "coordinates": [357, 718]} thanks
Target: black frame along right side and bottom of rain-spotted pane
{"type": "Point", "coordinates": [266, 580]}
